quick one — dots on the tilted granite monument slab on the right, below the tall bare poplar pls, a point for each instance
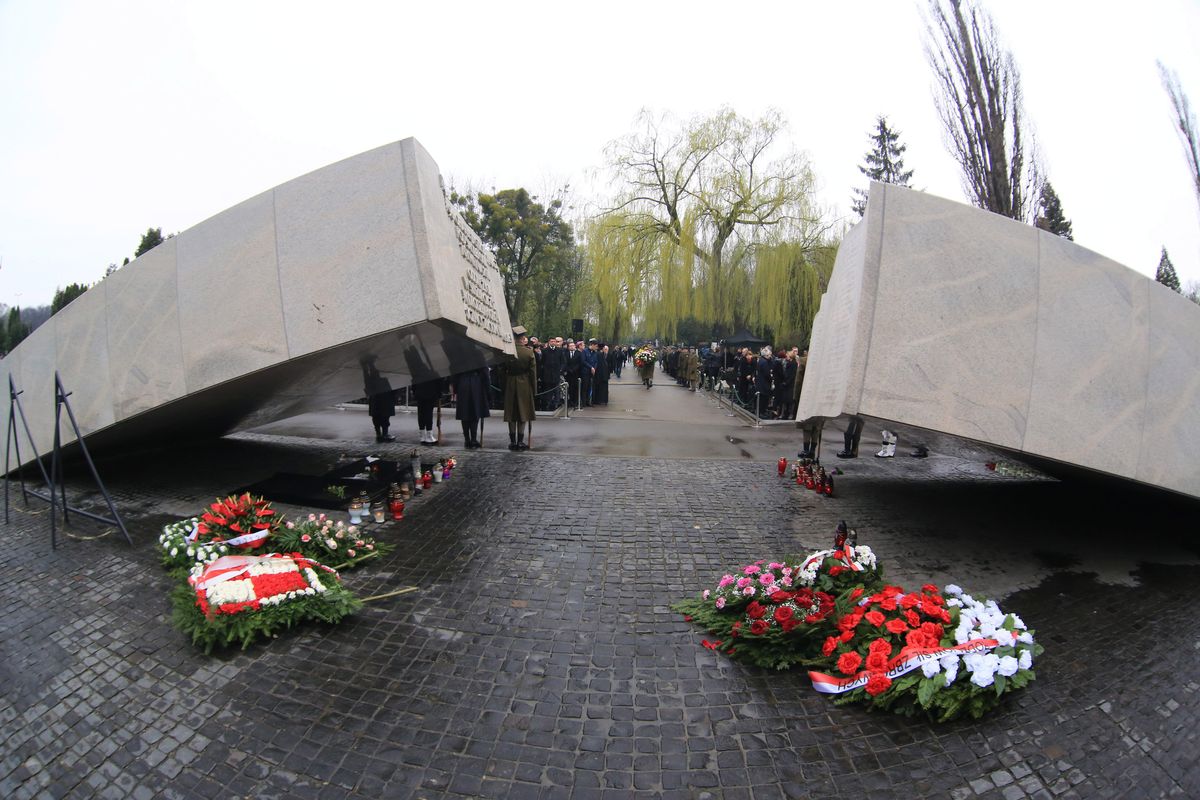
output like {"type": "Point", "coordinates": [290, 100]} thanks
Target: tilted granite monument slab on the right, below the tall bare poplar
{"type": "Point", "coordinates": [950, 318]}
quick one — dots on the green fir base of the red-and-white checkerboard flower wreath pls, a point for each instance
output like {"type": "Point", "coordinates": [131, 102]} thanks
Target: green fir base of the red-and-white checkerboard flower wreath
{"type": "Point", "coordinates": [224, 630]}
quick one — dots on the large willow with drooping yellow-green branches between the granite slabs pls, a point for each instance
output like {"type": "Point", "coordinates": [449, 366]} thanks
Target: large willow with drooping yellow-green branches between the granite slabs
{"type": "Point", "coordinates": [695, 206]}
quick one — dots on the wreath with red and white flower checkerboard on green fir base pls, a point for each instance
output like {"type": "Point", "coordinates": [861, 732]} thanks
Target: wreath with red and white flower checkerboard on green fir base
{"type": "Point", "coordinates": [244, 598]}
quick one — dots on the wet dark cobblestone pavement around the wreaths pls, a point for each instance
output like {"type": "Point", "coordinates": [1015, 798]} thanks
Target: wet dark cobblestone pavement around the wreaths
{"type": "Point", "coordinates": [541, 658]}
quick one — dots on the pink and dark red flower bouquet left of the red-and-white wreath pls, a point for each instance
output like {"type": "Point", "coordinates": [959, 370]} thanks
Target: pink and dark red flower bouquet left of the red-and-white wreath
{"type": "Point", "coordinates": [763, 616]}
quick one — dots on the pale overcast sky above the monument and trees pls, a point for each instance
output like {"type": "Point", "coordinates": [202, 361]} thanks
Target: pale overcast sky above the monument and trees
{"type": "Point", "coordinates": [125, 116]}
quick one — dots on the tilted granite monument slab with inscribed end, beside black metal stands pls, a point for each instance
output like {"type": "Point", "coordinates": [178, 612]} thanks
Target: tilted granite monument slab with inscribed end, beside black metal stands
{"type": "Point", "coordinates": [279, 305]}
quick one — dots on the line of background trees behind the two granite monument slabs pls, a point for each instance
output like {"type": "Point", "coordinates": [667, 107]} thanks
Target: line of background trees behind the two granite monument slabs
{"type": "Point", "coordinates": [713, 224]}
